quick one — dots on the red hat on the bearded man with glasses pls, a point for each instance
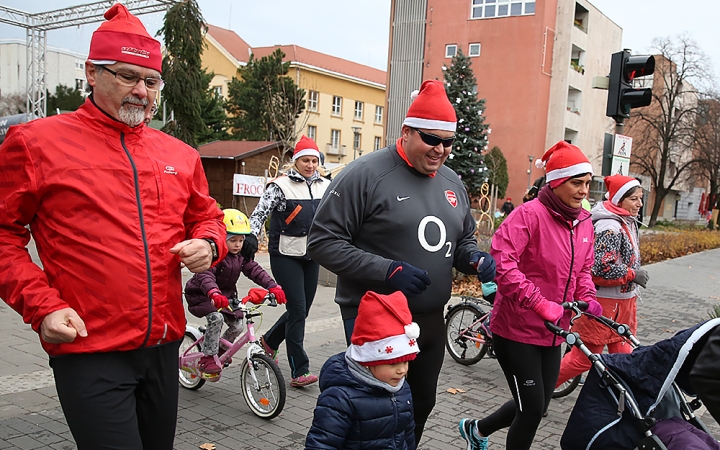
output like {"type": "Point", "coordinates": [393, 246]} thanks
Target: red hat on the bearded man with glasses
{"type": "Point", "coordinates": [124, 38]}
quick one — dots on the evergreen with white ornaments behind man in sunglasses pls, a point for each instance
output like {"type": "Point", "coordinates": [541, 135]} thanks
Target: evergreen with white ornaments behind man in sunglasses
{"type": "Point", "coordinates": [466, 157]}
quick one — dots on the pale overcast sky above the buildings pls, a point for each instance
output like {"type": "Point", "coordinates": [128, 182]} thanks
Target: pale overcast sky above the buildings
{"type": "Point", "coordinates": [359, 31]}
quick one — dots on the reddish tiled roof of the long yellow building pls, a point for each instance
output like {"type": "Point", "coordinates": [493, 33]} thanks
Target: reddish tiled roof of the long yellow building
{"type": "Point", "coordinates": [240, 49]}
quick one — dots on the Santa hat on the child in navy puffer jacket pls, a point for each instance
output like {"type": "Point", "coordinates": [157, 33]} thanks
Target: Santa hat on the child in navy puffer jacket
{"type": "Point", "coordinates": [384, 332]}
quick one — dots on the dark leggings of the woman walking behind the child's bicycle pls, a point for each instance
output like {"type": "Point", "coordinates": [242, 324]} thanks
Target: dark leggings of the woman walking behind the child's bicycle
{"type": "Point", "coordinates": [298, 278]}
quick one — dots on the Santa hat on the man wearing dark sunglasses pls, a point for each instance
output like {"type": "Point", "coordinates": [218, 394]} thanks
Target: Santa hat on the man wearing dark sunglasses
{"type": "Point", "coordinates": [431, 109]}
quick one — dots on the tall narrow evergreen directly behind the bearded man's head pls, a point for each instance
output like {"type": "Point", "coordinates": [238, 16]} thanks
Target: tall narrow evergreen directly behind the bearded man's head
{"type": "Point", "coordinates": [183, 29]}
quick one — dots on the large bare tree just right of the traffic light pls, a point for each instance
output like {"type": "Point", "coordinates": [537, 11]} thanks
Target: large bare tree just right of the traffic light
{"type": "Point", "coordinates": [664, 132]}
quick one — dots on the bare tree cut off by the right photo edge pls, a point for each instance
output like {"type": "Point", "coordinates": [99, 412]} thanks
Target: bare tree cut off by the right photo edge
{"type": "Point", "coordinates": [707, 147]}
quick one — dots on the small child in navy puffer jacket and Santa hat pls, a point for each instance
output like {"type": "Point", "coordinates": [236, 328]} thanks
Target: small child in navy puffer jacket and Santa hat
{"type": "Point", "coordinates": [364, 400]}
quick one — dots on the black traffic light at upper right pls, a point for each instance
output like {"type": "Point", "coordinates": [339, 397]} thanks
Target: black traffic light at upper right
{"type": "Point", "coordinates": [621, 95]}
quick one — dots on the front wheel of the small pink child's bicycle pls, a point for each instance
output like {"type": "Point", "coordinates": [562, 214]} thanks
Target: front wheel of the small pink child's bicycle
{"type": "Point", "coordinates": [266, 398]}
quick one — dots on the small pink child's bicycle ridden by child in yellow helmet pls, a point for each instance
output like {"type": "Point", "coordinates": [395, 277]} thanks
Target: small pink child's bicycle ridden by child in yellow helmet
{"type": "Point", "coordinates": [262, 383]}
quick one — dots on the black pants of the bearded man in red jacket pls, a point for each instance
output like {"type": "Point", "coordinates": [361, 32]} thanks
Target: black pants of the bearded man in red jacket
{"type": "Point", "coordinates": [120, 400]}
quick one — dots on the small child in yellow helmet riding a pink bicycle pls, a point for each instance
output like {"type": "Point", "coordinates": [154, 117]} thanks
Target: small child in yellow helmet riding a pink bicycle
{"type": "Point", "coordinates": [213, 294]}
